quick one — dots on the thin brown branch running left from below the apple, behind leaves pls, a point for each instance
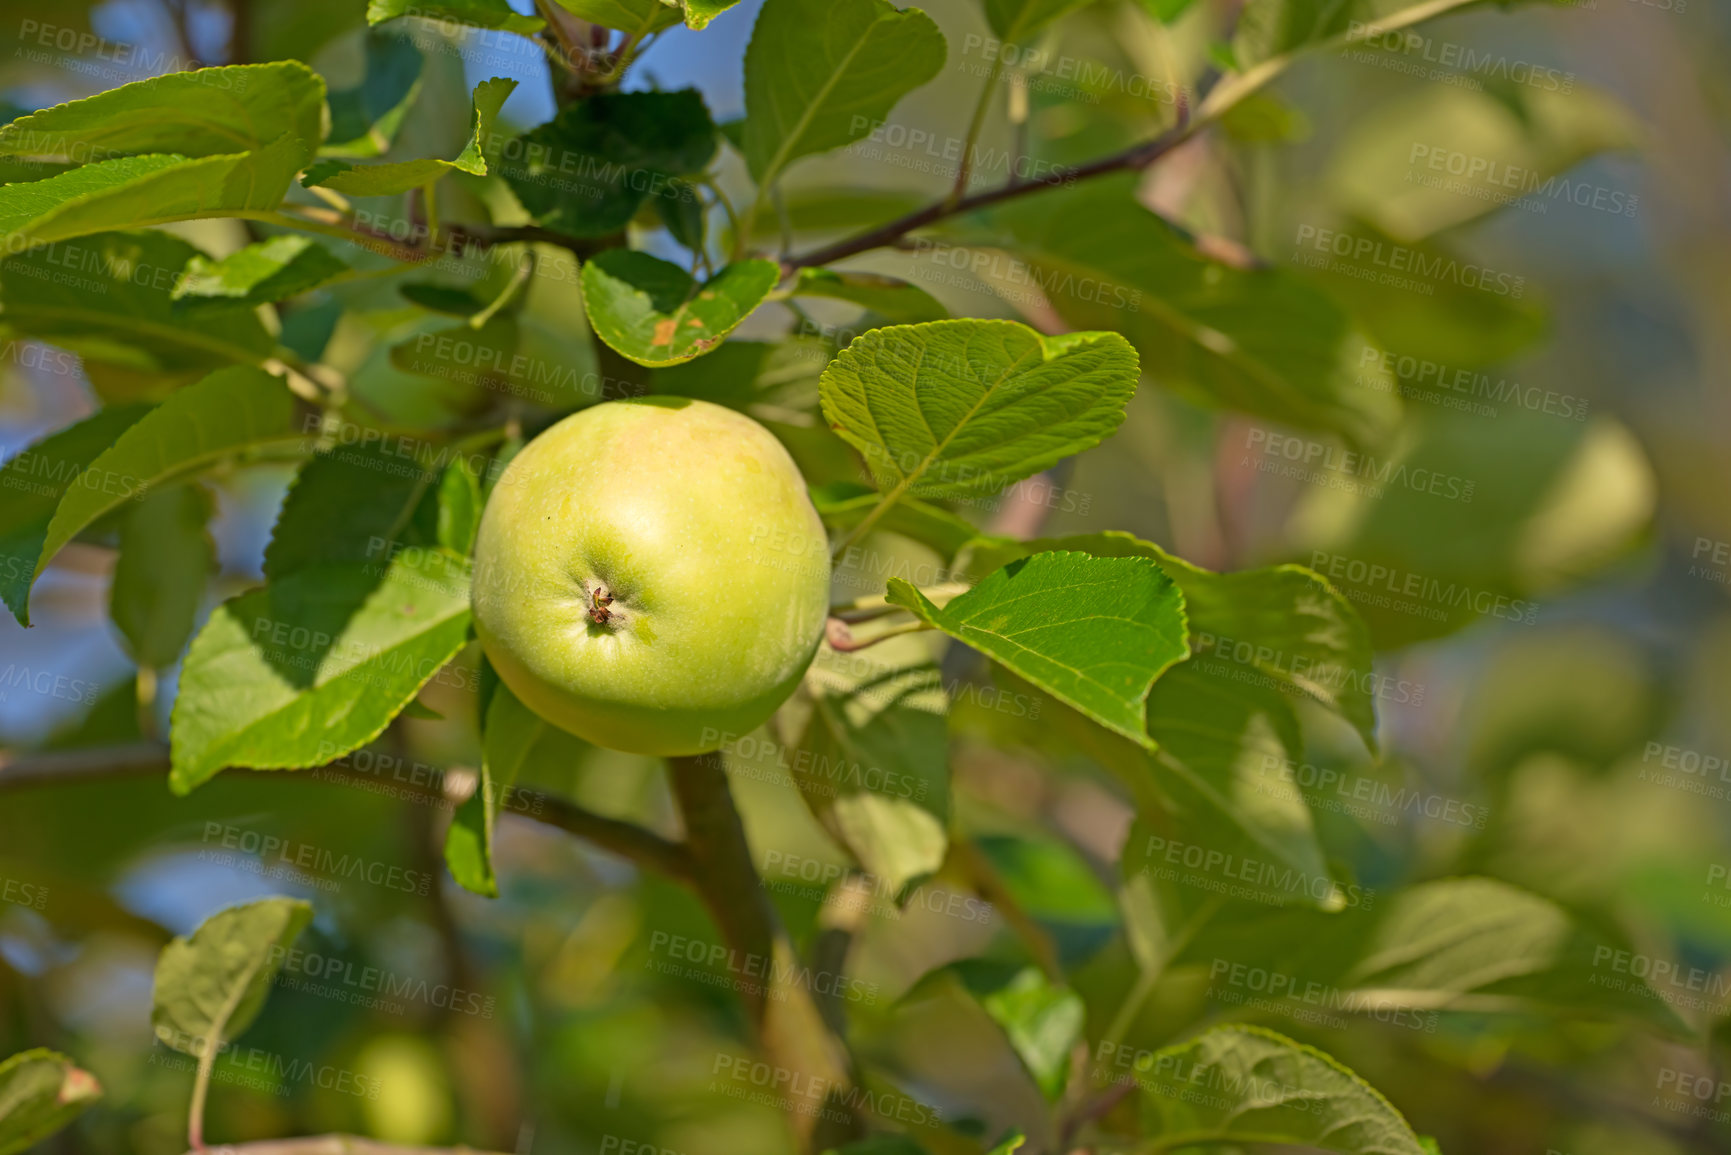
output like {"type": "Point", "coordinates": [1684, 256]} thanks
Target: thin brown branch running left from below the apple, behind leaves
{"type": "Point", "coordinates": [56, 768]}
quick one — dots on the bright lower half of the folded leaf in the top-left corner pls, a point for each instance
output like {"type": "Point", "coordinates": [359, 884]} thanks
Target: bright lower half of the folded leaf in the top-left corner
{"type": "Point", "coordinates": [139, 191]}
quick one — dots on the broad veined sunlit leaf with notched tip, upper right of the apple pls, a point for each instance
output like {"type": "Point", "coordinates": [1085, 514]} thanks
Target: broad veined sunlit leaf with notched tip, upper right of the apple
{"type": "Point", "coordinates": [965, 408]}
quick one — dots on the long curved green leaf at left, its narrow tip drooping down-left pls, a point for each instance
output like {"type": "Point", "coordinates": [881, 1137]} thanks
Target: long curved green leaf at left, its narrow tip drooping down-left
{"type": "Point", "coordinates": [224, 415]}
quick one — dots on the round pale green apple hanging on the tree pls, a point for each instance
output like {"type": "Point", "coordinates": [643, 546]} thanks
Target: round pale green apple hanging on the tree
{"type": "Point", "coordinates": [697, 524]}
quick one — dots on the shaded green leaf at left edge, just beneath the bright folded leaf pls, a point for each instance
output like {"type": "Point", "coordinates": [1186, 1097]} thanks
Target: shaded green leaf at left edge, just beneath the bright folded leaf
{"type": "Point", "coordinates": [120, 316]}
